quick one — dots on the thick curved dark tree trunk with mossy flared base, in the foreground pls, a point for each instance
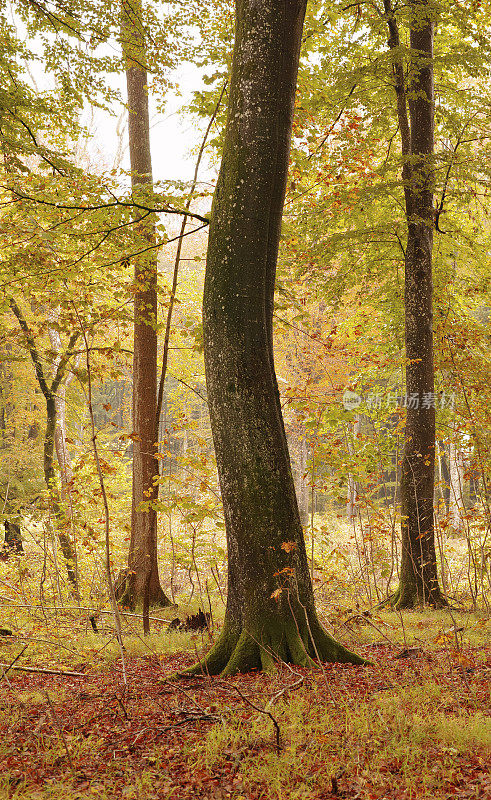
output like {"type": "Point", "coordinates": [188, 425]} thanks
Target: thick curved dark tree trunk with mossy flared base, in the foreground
{"type": "Point", "coordinates": [270, 613]}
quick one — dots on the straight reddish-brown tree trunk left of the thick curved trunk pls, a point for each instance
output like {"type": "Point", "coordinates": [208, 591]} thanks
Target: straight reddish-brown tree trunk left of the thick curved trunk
{"type": "Point", "coordinates": [143, 582]}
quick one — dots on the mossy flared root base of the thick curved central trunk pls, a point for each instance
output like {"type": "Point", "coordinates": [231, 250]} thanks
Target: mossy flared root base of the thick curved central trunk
{"type": "Point", "coordinates": [238, 650]}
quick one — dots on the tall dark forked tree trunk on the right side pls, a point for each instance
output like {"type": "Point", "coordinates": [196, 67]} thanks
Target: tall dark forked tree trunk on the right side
{"type": "Point", "coordinates": [418, 574]}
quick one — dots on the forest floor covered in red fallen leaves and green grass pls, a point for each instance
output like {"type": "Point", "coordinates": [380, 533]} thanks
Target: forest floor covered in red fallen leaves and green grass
{"type": "Point", "coordinates": [413, 724]}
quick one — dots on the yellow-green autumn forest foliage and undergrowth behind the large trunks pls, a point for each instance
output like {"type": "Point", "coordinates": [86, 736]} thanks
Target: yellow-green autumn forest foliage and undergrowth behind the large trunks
{"type": "Point", "coordinates": [73, 231]}
